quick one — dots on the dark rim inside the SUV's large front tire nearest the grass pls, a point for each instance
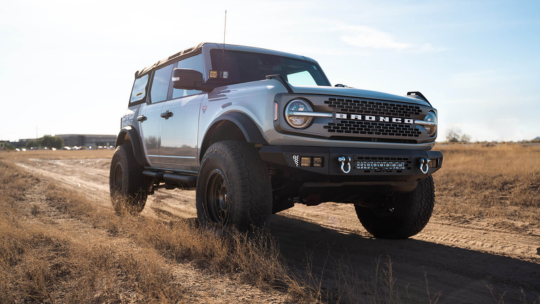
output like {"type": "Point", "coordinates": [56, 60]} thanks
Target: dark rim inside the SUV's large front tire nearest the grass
{"type": "Point", "coordinates": [217, 198]}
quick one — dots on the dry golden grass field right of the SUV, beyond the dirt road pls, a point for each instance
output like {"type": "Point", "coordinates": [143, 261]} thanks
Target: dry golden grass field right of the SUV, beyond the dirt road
{"type": "Point", "coordinates": [497, 182]}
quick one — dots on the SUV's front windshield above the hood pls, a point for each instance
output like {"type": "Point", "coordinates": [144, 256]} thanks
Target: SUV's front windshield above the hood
{"type": "Point", "coordinates": [246, 66]}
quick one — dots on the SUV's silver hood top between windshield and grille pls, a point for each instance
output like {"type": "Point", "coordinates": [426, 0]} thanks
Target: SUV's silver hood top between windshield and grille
{"type": "Point", "coordinates": [356, 93]}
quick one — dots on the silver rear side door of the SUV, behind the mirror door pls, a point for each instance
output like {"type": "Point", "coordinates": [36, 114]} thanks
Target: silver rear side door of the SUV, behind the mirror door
{"type": "Point", "coordinates": [150, 115]}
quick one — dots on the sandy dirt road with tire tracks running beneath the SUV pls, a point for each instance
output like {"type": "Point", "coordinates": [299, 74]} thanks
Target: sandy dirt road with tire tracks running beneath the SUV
{"type": "Point", "coordinates": [461, 260]}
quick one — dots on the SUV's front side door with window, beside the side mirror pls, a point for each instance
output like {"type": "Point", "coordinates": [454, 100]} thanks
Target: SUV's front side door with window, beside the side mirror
{"type": "Point", "coordinates": [179, 147]}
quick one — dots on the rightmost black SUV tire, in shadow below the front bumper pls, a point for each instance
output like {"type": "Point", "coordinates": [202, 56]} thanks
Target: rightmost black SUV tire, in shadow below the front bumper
{"type": "Point", "coordinates": [406, 216]}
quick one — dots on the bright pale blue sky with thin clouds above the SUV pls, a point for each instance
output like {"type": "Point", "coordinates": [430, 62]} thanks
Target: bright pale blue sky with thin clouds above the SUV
{"type": "Point", "coordinates": [68, 66]}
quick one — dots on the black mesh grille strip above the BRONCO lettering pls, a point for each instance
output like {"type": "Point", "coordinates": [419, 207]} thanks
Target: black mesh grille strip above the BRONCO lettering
{"type": "Point", "coordinates": [373, 107]}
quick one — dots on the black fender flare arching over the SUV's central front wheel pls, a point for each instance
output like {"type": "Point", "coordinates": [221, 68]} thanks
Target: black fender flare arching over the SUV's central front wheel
{"type": "Point", "coordinates": [246, 125]}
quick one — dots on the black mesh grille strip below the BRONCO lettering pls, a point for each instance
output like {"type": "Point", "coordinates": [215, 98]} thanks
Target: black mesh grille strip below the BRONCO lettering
{"type": "Point", "coordinates": [372, 128]}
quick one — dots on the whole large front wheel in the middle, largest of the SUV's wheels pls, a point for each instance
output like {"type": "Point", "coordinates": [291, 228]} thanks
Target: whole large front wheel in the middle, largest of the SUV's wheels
{"type": "Point", "coordinates": [233, 187]}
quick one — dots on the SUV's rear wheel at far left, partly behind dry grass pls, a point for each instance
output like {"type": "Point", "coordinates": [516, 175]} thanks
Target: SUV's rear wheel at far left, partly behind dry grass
{"type": "Point", "coordinates": [128, 187]}
